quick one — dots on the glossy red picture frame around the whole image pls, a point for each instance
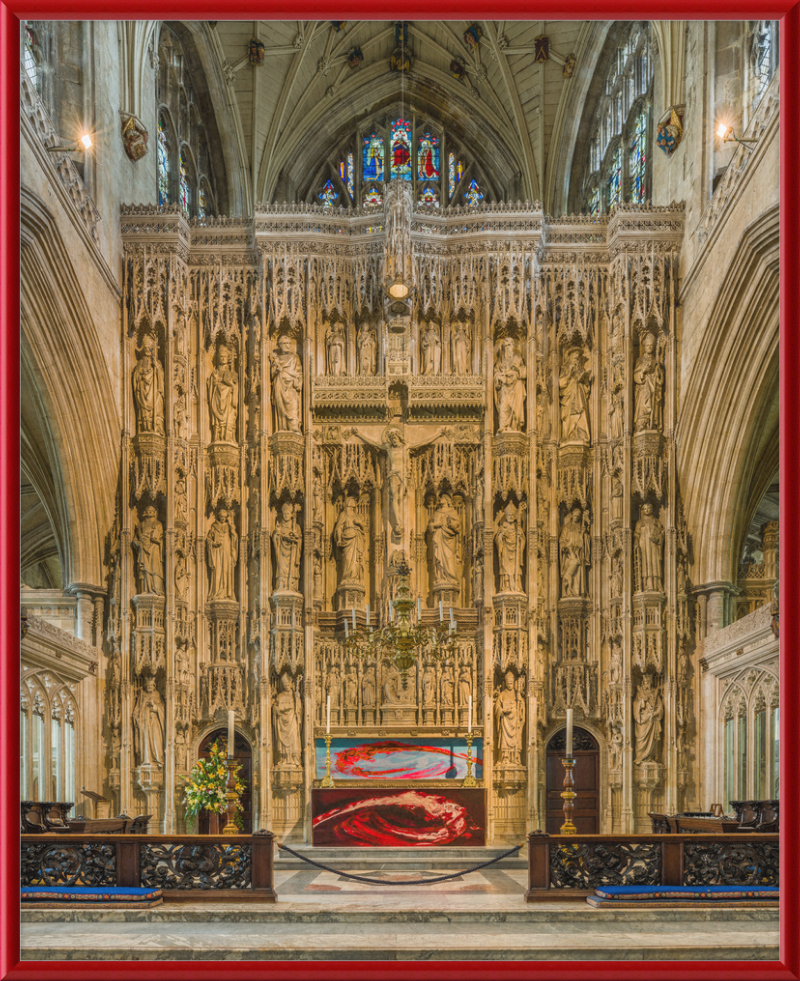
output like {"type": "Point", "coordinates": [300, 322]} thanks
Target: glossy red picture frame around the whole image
{"type": "Point", "coordinates": [10, 14]}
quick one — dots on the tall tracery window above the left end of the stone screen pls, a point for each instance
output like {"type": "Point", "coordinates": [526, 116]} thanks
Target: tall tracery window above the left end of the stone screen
{"type": "Point", "coordinates": [184, 172]}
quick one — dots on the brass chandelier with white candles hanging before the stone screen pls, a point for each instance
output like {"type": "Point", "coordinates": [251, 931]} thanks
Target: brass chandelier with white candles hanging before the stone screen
{"type": "Point", "coordinates": [403, 640]}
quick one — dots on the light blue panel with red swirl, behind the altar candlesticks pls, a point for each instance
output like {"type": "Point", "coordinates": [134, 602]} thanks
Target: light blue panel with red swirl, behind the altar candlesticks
{"type": "Point", "coordinates": [400, 758]}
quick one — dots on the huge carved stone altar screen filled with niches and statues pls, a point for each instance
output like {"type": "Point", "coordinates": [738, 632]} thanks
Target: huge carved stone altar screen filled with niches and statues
{"type": "Point", "coordinates": [290, 437]}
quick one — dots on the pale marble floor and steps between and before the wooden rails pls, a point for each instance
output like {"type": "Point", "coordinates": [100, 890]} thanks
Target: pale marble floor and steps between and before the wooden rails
{"type": "Point", "coordinates": [322, 916]}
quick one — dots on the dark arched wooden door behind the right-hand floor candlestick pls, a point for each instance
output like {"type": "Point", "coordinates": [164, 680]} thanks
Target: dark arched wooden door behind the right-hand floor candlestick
{"type": "Point", "coordinates": [586, 771]}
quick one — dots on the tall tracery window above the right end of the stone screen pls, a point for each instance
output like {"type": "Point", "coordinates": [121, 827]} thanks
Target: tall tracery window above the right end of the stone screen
{"type": "Point", "coordinates": [622, 118]}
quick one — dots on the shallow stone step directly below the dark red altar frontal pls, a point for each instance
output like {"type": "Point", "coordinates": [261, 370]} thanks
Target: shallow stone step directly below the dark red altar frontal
{"type": "Point", "coordinates": [401, 859]}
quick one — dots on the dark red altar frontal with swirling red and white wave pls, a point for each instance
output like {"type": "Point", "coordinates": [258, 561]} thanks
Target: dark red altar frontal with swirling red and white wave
{"type": "Point", "coordinates": [416, 817]}
